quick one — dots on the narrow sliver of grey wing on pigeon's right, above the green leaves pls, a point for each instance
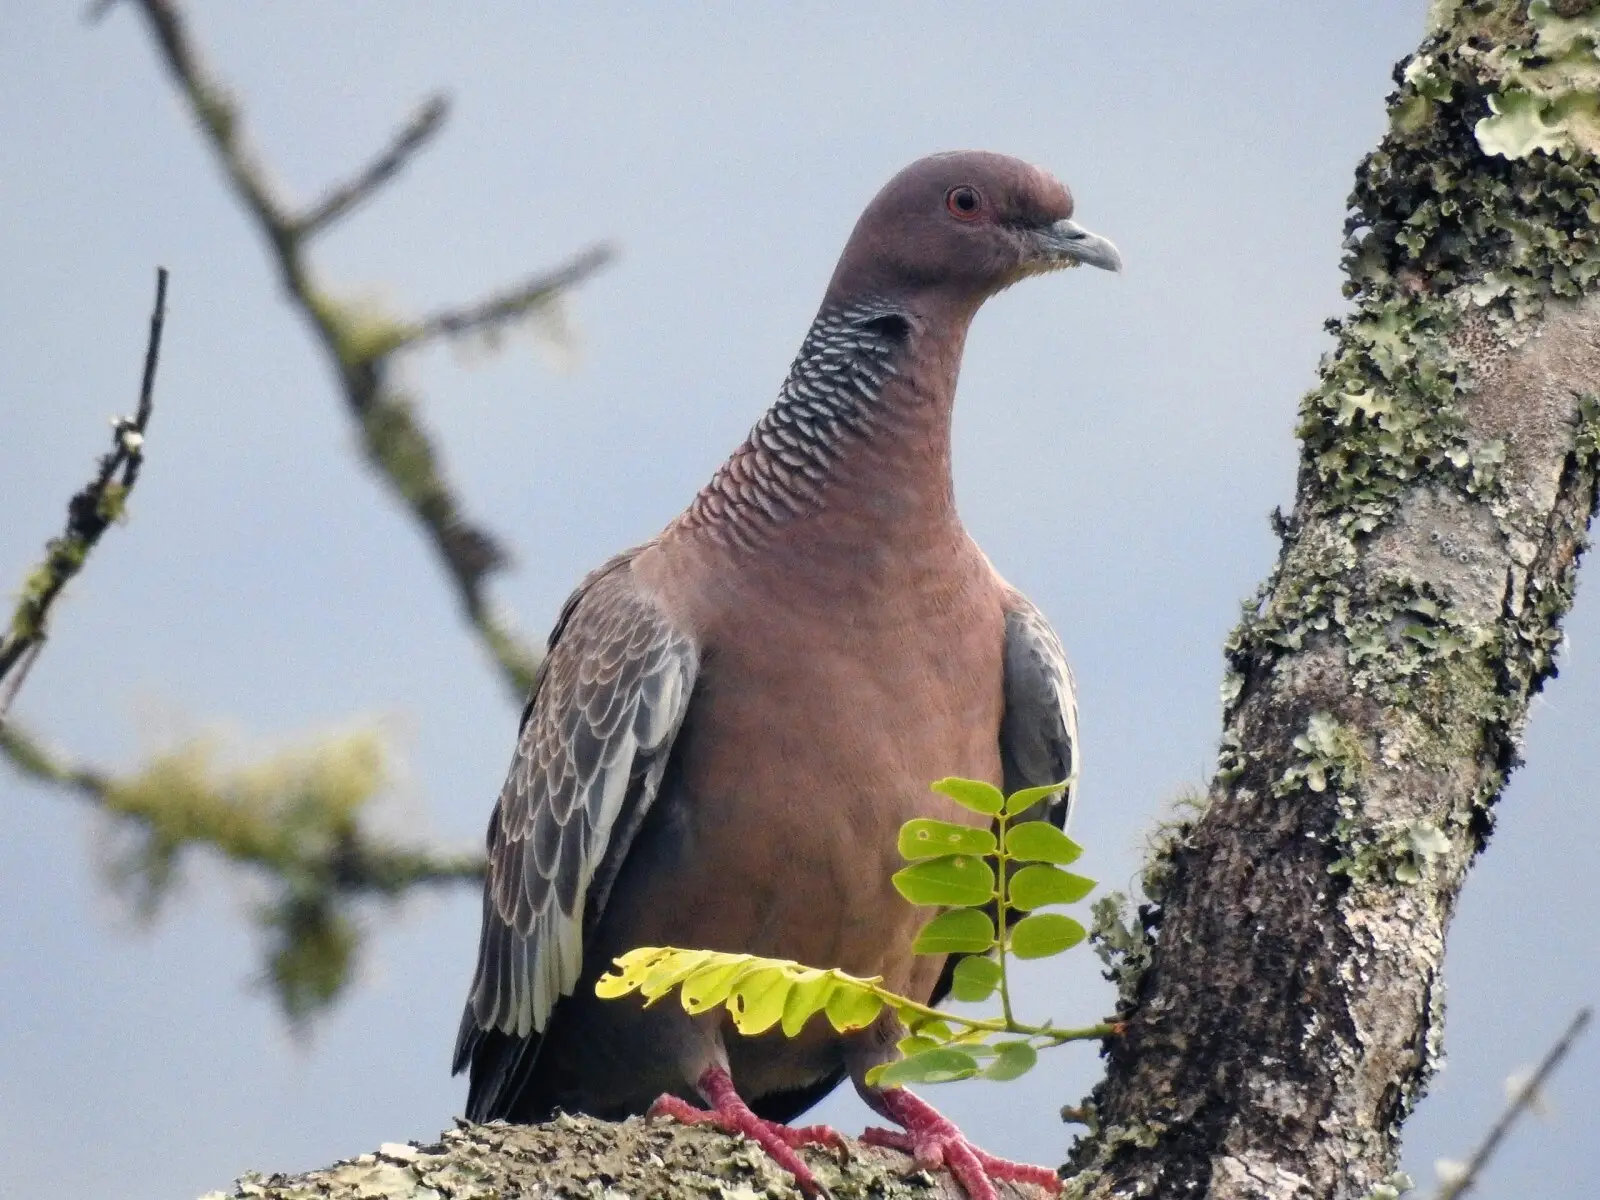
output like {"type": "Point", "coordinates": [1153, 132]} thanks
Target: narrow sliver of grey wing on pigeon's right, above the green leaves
{"type": "Point", "coordinates": [1039, 730]}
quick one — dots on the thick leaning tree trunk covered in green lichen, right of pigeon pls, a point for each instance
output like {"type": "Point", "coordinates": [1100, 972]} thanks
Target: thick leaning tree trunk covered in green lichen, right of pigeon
{"type": "Point", "coordinates": [1290, 1012]}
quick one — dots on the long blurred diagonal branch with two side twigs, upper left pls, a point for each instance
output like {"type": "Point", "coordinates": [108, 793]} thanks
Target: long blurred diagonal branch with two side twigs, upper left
{"type": "Point", "coordinates": [361, 346]}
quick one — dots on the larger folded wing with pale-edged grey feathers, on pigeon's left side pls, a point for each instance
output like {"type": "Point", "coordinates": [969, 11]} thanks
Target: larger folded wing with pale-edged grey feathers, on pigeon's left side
{"type": "Point", "coordinates": [594, 745]}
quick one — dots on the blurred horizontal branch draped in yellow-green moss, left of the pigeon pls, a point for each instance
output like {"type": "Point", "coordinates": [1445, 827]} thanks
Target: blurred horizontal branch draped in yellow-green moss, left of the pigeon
{"type": "Point", "coordinates": [294, 818]}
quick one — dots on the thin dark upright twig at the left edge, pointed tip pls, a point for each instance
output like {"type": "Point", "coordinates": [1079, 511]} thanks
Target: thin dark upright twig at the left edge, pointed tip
{"type": "Point", "coordinates": [90, 513]}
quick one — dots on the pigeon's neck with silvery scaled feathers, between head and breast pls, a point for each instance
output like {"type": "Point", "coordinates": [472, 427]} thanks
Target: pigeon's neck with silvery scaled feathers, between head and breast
{"type": "Point", "coordinates": [857, 449]}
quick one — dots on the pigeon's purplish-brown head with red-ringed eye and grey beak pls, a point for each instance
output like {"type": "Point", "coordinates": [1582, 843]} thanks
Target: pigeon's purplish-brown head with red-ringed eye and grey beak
{"type": "Point", "coordinates": [964, 226]}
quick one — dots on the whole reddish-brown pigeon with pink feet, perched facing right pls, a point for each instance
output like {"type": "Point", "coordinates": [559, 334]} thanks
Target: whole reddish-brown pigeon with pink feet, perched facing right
{"type": "Point", "coordinates": [737, 718]}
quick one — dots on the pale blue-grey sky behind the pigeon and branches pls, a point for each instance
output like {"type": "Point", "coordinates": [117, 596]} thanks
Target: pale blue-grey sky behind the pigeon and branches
{"type": "Point", "coordinates": [1119, 446]}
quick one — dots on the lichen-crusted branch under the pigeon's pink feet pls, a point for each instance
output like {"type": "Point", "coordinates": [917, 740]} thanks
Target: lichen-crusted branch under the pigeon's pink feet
{"type": "Point", "coordinates": [585, 1158]}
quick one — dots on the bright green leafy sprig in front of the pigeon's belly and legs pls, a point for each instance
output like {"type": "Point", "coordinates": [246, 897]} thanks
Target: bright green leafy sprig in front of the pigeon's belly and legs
{"type": "Point", "coordinates": [982, 879]}
